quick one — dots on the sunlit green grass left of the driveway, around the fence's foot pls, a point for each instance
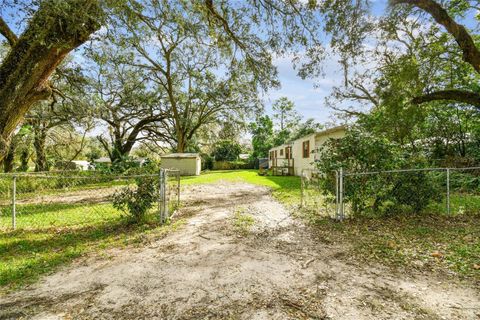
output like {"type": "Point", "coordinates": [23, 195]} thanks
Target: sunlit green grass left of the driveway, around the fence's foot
{"type": "Point", "coordinates": [52, 235]}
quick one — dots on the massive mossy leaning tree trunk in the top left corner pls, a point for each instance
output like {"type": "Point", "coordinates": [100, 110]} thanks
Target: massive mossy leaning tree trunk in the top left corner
{"type": "Point", "coordinates": [55, 29]}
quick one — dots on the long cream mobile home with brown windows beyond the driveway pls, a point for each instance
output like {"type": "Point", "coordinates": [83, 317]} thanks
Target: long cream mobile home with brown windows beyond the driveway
{"type": "Point", "coordinates": [293, 157]}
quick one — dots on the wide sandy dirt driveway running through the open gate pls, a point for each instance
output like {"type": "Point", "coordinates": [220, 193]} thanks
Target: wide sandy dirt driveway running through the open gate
{"type": "Point", "coordinates": [217, 267]}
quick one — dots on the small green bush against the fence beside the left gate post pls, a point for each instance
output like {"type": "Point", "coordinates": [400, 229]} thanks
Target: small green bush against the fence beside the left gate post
{"type": "Point", "coordinates": [137, 201]}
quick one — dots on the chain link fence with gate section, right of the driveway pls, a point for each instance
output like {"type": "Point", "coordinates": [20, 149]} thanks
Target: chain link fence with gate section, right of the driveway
{"type": "Point", "coordinates": [342, 194]}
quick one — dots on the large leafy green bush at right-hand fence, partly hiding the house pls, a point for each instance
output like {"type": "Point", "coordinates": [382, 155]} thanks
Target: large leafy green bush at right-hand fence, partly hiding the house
{"type": "Point", "coordinates": [377, 194]}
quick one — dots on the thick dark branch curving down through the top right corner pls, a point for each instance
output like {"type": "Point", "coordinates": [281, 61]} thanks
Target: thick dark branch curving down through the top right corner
{"type": "Point", "coordinates": [471, 54]}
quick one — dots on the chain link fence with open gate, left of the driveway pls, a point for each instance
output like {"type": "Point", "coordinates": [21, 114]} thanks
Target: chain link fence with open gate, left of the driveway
{"type": "Point", "coordinates": [66, 198]}
